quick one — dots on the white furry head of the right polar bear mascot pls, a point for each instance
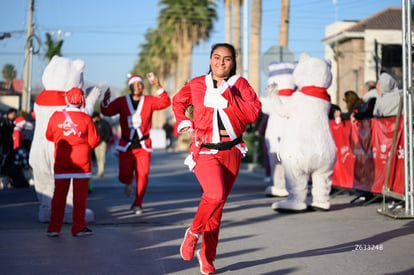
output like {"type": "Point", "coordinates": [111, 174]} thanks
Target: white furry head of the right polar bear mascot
{"type": "Point", "coordinates": [312, 71]}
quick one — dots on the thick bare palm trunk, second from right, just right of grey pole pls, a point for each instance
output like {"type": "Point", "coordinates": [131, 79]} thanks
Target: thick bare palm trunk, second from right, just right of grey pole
{"type": "Point", "coordinates": [255, 36]}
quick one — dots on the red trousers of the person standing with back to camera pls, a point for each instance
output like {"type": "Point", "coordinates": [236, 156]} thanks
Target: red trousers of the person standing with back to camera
{"type": "Point", "coordinates": [80, 195]}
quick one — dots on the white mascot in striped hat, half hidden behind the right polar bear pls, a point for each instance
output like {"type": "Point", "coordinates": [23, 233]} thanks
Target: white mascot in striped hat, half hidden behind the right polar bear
{"type": "Point", "coordinates": [280, 74]}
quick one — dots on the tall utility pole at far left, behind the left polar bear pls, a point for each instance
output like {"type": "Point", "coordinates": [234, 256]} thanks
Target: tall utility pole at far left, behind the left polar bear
{"type": "Point", "coordinates": [27, 77]}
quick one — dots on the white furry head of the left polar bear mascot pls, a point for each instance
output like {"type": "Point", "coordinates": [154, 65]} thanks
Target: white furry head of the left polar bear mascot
{"type": "Point", "coordinates": [62, 74]}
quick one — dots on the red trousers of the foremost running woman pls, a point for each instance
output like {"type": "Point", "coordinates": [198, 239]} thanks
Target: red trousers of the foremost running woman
{"type": "Point", "coordinates": [216, 174]}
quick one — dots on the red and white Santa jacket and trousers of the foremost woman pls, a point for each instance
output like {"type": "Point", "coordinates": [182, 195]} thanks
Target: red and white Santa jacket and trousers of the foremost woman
{"type": "Point", "coordinates": [234, 103]}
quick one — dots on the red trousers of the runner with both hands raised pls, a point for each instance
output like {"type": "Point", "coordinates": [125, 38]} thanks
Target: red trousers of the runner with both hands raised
{"type": "Point", "coordinates": [138, 161]}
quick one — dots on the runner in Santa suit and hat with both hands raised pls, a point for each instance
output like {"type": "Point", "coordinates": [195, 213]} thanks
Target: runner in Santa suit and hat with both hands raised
{"type": "Point", "coordinates": [134, 147]}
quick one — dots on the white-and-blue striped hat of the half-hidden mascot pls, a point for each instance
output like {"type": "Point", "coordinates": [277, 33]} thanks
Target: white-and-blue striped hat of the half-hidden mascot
{"type": "Point", "coordinates": [282, 75]}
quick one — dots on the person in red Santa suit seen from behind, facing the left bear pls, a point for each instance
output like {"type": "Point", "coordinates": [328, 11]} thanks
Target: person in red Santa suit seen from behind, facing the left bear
{"type": "Point", "coordinates": [74, 134]}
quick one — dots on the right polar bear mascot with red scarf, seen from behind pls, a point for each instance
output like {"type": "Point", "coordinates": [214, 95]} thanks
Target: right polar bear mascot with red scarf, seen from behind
{"type": "Point", "coordinates": [307, 148]}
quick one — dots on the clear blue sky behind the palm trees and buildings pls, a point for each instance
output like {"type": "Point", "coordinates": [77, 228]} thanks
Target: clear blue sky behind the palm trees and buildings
{"type": "Point", "coordinates": [107, 34]}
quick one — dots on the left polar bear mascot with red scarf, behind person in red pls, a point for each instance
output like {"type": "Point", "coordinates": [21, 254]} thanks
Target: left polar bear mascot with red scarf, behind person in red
{"type": "Point", "coordinates": [59, 76]}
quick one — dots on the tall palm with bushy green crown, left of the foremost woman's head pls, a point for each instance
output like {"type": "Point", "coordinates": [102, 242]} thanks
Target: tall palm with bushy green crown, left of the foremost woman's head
{"type": "Point", "coordinates": [193, 22]}
